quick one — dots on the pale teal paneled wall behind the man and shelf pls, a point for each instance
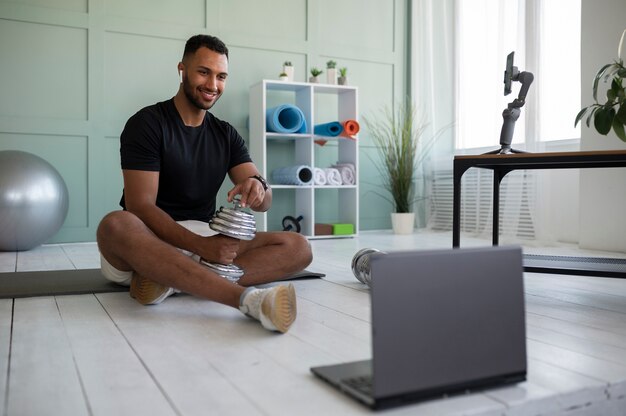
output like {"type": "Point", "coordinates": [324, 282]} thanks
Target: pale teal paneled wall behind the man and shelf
{"type": "Point", "coordinates": [73, 71]}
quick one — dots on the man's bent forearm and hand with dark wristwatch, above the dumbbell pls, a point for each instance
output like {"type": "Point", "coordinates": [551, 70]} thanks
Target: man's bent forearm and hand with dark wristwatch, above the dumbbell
{"type": "Point", "coordinates": [251, 190]}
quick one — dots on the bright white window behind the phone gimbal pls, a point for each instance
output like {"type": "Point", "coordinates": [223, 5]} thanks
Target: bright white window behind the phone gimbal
{"type": "Point", "coordinates": [545, 36]}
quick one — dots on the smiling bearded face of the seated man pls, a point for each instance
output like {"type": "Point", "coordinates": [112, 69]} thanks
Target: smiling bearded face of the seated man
{"type": "Point", "coordinates": [204, 77]}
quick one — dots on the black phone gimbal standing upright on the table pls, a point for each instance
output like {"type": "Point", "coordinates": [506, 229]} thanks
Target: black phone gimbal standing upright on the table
{"type": "Point", "coordinates": [513, 110]}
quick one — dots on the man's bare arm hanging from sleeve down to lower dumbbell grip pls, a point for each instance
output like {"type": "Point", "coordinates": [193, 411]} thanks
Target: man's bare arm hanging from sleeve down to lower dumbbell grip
{"type": "Point", "coordinates": [140, 192]}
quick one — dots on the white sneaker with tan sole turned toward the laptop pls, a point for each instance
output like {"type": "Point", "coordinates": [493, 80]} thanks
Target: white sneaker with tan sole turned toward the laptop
{"type": "Point", "coordinates": [275, 307]}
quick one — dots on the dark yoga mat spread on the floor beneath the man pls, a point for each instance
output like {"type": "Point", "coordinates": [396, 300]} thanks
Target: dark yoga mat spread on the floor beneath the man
{"type": "Point", "coordinates": [75, 282]}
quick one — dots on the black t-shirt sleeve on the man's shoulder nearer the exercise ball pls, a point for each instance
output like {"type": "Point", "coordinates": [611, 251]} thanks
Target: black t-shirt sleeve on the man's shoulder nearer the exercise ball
{"type": "Point", "coordinates": [140, 144]}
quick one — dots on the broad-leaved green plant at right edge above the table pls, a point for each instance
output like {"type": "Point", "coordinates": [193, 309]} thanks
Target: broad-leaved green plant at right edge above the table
{"type": "Point", "coordinates": [612, 113]}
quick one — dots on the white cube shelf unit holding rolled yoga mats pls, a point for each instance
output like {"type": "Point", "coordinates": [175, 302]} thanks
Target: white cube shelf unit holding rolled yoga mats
{"type": "Point", "coordinates": [320, 103]}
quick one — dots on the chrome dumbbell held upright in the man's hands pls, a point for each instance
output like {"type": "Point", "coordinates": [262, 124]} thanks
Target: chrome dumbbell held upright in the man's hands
{"type": "Point", "coordinates": [234, 223]}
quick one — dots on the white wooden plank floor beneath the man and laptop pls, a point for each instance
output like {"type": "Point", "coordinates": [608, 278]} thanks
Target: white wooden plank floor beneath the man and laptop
{"type": "Point", "coordinates": [107, 355]}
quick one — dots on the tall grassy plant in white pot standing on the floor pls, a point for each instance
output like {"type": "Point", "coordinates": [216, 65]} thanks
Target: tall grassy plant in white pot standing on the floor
{"type": "Point", "coordinates": [397, 136]}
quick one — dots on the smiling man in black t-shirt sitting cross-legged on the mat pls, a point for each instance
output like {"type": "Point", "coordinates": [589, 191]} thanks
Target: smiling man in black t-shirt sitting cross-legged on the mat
{"type": "Point", "coordinates": [175, 156]}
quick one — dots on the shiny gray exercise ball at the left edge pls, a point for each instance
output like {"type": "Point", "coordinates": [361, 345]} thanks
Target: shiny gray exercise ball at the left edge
{"type": "Point", "coordinates": [33, 201]}
